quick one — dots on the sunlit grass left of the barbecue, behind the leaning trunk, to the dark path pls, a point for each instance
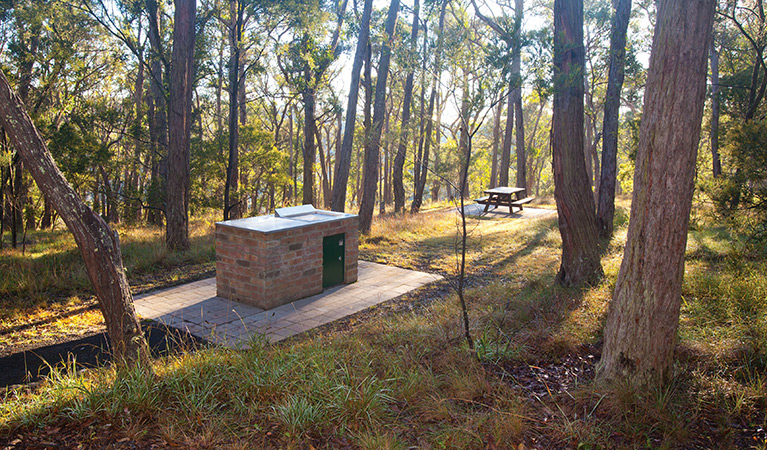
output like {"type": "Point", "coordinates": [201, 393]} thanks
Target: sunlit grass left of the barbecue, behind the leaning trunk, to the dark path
{"type": "Point", "coordinates": [45, 292]}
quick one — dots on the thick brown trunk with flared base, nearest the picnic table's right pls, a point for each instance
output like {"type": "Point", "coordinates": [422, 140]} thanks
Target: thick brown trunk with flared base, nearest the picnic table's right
{"type": "Point", "coordinates": [572, 187]}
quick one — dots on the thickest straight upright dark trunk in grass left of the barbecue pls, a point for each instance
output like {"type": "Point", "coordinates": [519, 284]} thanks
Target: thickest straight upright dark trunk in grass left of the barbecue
{"type": "Point", "coordinates": [180, 118]}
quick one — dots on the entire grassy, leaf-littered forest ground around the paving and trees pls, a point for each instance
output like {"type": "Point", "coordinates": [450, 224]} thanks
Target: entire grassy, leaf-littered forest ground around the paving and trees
{"type": "Point", "coordinates": [400, 375]}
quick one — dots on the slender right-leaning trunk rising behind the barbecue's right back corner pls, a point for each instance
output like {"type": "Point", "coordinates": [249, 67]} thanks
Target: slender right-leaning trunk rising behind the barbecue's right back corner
{"type": "Point", "coordinates": [341, 180]}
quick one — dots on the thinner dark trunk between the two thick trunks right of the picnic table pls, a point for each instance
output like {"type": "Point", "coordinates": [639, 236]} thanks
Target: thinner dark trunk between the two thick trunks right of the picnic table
{"type": "Point", "coordinates": [608, 173]}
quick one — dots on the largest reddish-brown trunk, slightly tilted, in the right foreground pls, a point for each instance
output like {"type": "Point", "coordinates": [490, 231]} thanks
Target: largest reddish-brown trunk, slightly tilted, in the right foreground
{"type": "Point", "coordinates": [642, 322]}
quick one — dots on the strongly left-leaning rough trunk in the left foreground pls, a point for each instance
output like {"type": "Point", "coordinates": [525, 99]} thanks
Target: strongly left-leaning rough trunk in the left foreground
{"type": "Point", "coordinates": [98, 244]}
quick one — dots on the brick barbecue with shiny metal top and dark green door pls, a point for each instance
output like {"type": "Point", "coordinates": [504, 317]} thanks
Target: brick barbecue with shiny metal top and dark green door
{"type": "Point", "coordinates": [268, 261]}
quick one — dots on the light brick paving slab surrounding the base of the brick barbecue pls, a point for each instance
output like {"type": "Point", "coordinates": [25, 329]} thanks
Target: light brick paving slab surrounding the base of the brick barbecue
{"type": "Point", "coordinates": [194, 307]}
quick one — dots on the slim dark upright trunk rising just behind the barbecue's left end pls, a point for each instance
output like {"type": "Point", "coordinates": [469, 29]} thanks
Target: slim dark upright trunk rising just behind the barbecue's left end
{"type": "Point", "coordinates": [233, 207]}
